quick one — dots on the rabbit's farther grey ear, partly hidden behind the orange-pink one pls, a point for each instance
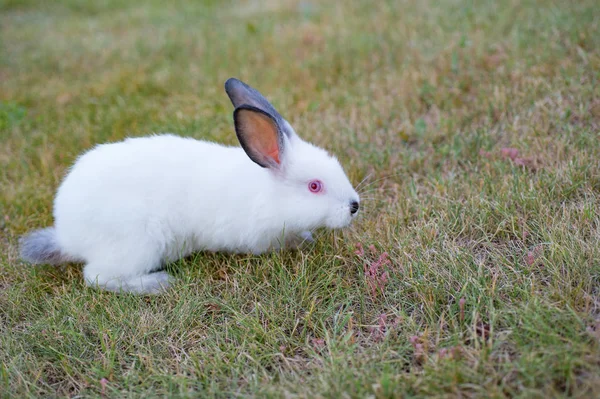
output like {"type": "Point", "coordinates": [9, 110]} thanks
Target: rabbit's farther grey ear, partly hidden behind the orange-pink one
{"type": "Point", "coordinates": [240, 93]}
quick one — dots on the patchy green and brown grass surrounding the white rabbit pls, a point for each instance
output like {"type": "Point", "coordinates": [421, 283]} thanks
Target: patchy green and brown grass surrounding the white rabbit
{"type": "Point", "coordinates": [476, 125]}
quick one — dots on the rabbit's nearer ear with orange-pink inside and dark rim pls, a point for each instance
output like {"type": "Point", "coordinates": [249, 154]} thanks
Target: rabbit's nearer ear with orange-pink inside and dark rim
{"type": "Point", "coordinates": [260, 135]}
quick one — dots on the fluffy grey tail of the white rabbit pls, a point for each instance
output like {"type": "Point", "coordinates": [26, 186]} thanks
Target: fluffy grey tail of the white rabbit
{"type": "Point", "coordinates": [41, 247]}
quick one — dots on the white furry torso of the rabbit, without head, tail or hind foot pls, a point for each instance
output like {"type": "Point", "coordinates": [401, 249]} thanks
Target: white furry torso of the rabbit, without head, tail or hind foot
{"type": "Point", "coordinates": [169, 192]}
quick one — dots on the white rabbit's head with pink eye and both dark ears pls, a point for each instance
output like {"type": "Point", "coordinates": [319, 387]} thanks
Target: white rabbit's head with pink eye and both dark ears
{"type": "Point", "coordinates": [309, 181]}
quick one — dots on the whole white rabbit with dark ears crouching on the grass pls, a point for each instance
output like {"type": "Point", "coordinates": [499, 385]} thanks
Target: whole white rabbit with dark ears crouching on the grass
{"type": "Point", "coordinates": [127, 208]}
